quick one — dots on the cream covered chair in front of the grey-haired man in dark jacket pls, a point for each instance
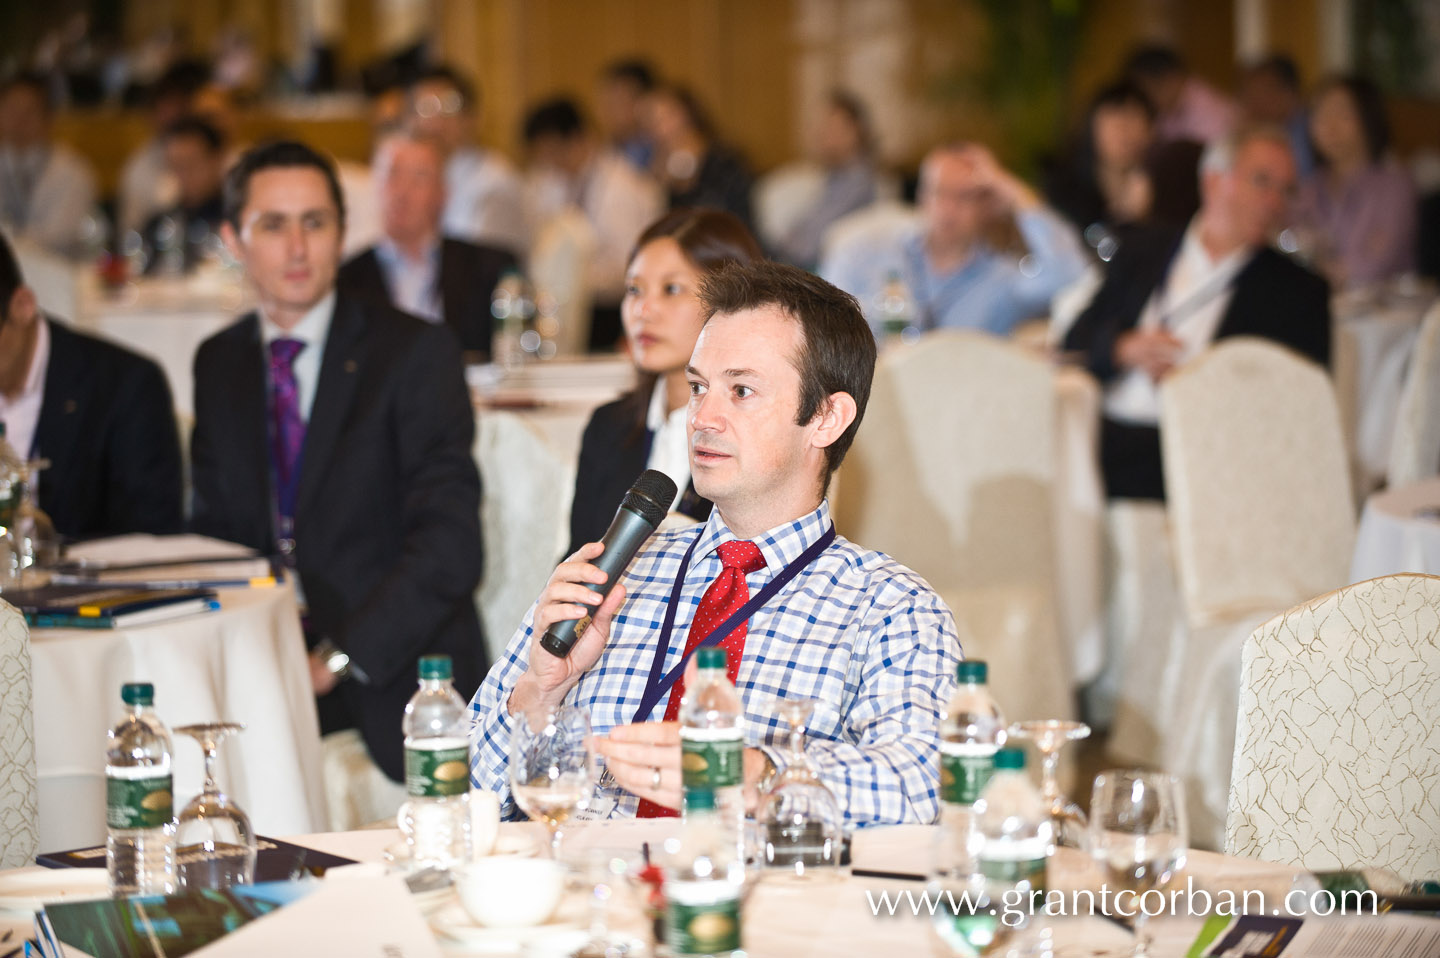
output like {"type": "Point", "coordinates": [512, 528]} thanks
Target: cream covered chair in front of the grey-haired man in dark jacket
{"type": "Point", "coordinates": [1261, 515]}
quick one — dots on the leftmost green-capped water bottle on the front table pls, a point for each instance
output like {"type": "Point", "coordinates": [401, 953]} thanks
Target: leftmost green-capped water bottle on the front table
{"type": "Point", "coordinates": [139, 805]}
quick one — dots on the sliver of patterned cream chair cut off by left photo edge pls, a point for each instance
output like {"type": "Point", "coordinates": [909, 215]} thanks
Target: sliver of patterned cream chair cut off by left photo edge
{"type": "Point", "coordinates": [19, 819]}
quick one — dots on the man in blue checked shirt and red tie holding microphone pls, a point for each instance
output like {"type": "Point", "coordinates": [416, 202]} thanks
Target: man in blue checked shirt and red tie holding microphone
{"type": "Point", "coordinates": [780, 381]}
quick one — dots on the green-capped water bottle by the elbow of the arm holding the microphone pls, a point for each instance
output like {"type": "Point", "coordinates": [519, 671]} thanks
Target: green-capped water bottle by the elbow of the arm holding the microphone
{"type": "Point", "coordinates": [436, 820]}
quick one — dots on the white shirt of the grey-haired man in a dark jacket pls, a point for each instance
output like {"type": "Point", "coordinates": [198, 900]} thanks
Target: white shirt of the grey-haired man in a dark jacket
{"type": "Point", "coordinates": [1190, 305]}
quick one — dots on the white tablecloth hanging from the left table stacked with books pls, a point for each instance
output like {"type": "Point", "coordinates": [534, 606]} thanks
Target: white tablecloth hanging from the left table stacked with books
{"type": "Point", "coordinates": [246, 663]}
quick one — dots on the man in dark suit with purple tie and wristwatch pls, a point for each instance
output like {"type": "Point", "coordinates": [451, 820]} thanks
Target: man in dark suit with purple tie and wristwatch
{"type": "Point", "coordinates": [338, 431]}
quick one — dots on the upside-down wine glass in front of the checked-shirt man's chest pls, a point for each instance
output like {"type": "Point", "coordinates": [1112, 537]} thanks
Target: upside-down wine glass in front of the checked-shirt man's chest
{"type": "Point", "coordinates": [800, 823]}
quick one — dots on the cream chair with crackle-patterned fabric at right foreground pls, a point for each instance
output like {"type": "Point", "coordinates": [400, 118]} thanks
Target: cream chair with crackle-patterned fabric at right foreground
{"type": "Point", "coordinates": [1337, 761]}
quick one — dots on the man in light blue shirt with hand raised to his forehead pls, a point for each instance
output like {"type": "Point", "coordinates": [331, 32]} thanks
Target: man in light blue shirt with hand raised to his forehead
{"type": "Point", "coordinates": [948, 259]}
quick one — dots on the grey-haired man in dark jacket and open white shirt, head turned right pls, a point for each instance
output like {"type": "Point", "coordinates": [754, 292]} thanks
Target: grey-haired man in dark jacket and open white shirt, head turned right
{"type": "Point", "coordinates": [1169, 296]}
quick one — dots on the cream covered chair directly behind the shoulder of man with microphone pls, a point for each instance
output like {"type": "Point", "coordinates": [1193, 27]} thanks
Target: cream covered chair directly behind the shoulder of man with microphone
{"type": "Point", "coordinates": [954, 476]}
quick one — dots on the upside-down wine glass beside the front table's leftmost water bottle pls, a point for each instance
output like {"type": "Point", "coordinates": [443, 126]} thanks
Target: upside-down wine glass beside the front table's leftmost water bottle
{"type": "Point", "coordinates": [215, 845]}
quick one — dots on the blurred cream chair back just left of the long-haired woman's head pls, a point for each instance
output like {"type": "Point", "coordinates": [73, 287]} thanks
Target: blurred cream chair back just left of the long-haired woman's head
{"type": "Point", "coordinates": [559, 264]}
